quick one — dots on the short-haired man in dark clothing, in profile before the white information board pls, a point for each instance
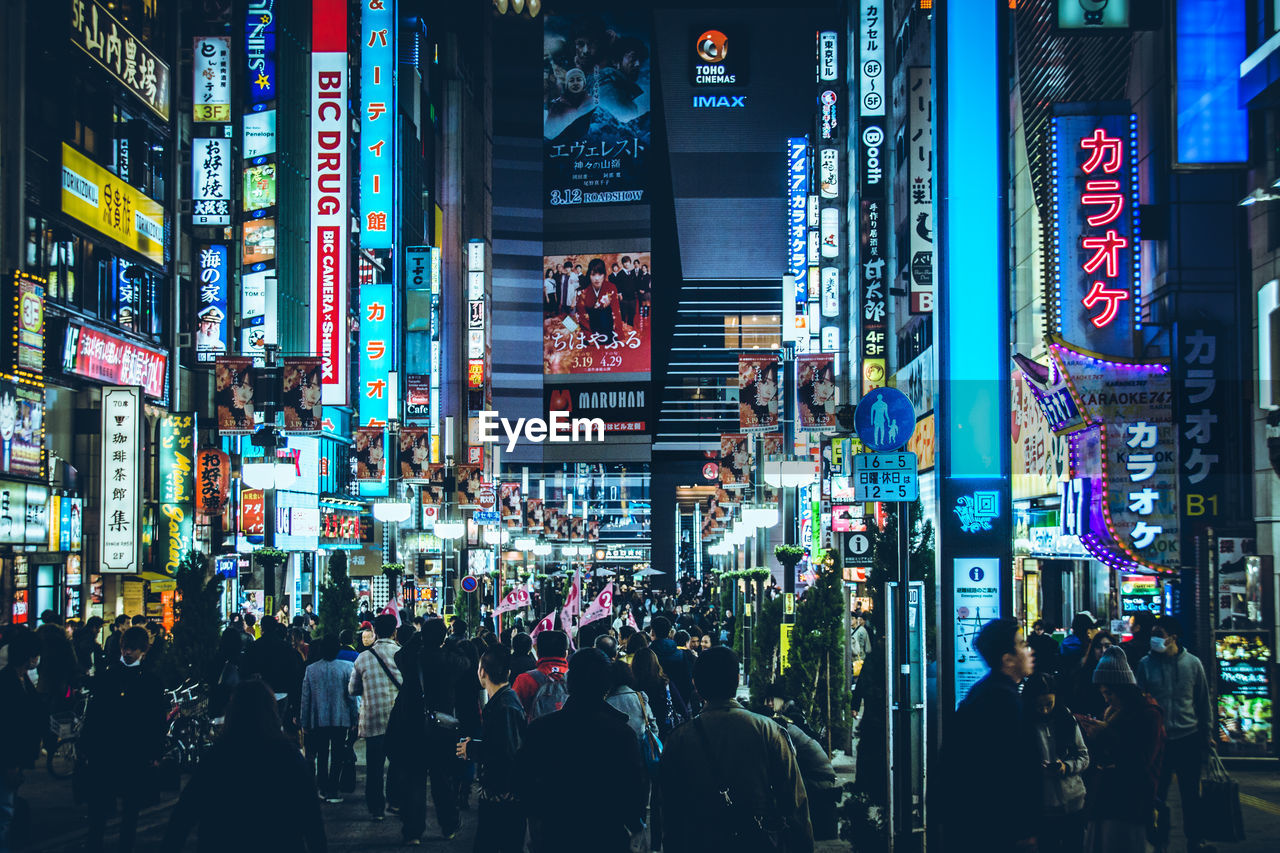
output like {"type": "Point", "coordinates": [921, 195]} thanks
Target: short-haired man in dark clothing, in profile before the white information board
{"type": "Point", "coordinates": [993, 774]}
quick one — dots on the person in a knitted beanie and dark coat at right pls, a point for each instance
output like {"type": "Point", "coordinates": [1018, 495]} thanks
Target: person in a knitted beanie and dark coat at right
{"type": "Point", "coordinates": [1127, 754]}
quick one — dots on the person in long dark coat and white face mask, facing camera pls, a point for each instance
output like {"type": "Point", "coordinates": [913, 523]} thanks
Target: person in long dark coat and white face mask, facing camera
{"type": "Point", "coordinates": [122, 740]}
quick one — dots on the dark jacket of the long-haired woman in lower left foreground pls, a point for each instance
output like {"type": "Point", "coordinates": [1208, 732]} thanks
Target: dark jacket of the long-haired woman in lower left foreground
{"type": "Point", "coordinates": [278, 787]}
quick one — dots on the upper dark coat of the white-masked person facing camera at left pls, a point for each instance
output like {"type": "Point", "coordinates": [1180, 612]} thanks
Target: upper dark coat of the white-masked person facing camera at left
{"type": "Point", "coordinates": [125, 724]}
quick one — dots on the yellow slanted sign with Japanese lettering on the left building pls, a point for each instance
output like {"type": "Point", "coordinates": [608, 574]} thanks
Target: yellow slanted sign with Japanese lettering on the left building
{"type": "Point", "coordinates": [112, 207]}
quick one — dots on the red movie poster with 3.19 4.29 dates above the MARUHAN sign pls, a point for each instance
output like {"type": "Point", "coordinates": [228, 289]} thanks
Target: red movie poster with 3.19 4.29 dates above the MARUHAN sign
{"type": "Point", "coordinates": [596, 313]}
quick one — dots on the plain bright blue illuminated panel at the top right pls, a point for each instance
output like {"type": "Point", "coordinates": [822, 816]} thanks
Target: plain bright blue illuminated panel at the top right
{"type": "Point", "coordinates": [1213, 127]}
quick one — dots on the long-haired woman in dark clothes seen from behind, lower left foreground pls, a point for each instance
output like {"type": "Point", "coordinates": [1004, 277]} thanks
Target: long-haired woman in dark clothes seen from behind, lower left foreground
{"type": "Point", "coordinates": [282, 791]}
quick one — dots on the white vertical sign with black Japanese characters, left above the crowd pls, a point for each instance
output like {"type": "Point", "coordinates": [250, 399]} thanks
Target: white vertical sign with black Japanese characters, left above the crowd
{"type": "Point", "coordinates": [122, 471]}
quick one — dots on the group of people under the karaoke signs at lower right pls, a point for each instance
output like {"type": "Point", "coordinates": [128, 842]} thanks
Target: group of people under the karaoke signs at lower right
{"type": "Point", "coordinates": [1075, 747]}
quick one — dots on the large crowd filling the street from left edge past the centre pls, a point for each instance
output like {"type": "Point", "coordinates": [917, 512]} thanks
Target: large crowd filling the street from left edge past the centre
{"type": "Point", "coordinates": [449, 718]}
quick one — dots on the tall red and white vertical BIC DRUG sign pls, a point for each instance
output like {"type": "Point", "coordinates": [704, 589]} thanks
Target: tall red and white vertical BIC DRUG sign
{"type": "Point", "coordinates": [330, 168]}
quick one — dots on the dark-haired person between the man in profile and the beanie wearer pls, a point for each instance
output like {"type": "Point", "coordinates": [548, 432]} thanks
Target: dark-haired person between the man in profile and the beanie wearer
{"type": "Point", "coordinates": [1063, 759]}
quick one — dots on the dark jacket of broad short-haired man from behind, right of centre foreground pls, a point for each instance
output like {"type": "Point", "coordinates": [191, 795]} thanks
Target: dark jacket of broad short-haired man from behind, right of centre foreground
{"type": "Point", "coordinates": [755, 758]}
